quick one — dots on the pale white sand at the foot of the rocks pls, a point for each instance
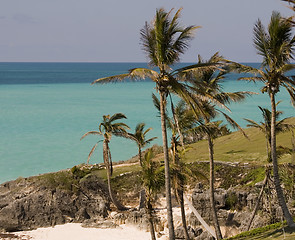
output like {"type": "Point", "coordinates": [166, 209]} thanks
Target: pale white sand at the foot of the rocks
{"type": "Point", "coordinates": [74, 231]}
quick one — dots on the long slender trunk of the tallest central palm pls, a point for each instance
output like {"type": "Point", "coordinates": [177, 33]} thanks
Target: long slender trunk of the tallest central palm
{"type": "Point", "coordinates": [167, 168]}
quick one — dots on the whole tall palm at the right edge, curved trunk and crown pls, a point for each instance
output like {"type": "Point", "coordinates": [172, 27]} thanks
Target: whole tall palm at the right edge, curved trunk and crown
{"type": "Point", "coordinates": [276, 47]}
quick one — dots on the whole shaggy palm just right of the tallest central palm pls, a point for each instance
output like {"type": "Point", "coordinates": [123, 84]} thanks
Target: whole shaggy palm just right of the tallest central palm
{"type": "Point", "coordinates": [208, 83]}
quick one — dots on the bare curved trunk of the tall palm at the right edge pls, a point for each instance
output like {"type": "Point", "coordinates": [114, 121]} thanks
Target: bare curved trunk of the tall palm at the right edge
{"type": "Point", "coordinates": [279, 191]}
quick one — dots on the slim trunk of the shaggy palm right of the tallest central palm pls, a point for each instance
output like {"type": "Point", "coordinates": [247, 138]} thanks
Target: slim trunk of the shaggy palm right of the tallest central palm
{"type": "Point", "coordinates": [212, 198]}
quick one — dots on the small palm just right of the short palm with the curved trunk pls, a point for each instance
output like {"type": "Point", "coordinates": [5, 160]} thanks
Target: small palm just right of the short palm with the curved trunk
{"type": "Point", "coordinates": [139, 136]}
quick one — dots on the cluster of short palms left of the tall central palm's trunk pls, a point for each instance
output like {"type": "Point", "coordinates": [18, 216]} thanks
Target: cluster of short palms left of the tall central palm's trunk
{"type": "Point", "coordinates": [152, 174]}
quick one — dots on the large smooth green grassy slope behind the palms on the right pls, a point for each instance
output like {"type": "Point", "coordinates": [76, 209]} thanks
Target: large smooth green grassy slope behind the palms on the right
{"type": "Point", "coordinates": [236, 148]}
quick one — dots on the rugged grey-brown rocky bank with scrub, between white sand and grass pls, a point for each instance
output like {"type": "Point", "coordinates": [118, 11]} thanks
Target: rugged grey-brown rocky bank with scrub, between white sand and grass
{"type": "Point", "coordinates": [79, 195]}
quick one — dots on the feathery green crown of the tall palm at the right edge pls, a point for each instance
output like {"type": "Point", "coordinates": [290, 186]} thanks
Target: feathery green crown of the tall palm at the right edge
{"type": "Point", "coordinates": [276, 46]}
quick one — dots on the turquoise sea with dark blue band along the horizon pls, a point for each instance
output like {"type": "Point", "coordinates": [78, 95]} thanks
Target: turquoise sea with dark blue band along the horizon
{"type": "Point", "coordinates": [46, 107]}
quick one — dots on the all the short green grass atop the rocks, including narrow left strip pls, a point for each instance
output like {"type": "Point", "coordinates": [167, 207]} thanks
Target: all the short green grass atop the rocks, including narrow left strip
{"type": "Point", "coordinates": [234, 148]}
